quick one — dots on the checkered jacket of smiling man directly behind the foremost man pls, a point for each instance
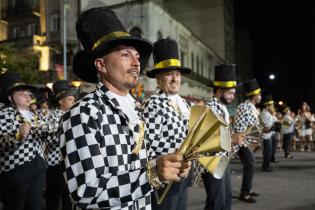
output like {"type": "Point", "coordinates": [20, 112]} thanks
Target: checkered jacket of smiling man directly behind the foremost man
{"type": "Point", "coordinates": [166, 127]}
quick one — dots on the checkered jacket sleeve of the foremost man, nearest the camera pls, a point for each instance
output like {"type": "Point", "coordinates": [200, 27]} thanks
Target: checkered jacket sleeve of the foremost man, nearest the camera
{"type": "Point", "coordinates": [88, 161]}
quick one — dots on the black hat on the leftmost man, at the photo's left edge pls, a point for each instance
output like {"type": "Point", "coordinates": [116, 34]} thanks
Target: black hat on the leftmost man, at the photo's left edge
{"type": "Point", "coordinates": [11, 81]}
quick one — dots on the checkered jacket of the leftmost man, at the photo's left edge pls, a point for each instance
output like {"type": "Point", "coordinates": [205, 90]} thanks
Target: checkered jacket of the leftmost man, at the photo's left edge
{"type": "Point", "coordinates": [14, 153]}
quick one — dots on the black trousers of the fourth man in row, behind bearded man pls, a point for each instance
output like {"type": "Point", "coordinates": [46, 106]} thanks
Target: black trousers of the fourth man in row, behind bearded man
{"type": "Point", "coordinates": [248, 161]}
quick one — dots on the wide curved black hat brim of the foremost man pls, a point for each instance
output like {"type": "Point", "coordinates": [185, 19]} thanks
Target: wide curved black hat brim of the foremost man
{"type": "Point", "coordinates": [83, 63]}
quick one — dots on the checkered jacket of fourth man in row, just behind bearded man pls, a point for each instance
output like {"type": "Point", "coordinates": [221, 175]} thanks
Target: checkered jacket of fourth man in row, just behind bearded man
{"type": "Point", "coordinates": [246, 116]}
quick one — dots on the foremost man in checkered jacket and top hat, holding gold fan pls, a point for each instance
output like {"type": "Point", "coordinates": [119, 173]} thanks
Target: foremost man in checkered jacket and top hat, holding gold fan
{"type": "Point", "coordinates": [105, 159]}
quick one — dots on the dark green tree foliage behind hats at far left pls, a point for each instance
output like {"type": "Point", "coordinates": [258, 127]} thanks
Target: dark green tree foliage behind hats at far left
{"type": "Point", "coordinates": [23, 63]}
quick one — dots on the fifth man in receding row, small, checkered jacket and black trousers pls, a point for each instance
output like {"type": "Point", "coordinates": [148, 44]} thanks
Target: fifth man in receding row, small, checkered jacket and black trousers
{"type": "Point", "coordinates": [267, 121]}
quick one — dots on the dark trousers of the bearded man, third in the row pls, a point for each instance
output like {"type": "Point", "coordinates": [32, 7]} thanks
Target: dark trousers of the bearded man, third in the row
{"type": "Point", "coordinates": [219, 191]}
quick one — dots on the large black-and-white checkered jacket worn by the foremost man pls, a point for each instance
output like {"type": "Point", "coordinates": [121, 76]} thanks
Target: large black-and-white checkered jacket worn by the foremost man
{"type": "Point", "coordinates": [97, 160]}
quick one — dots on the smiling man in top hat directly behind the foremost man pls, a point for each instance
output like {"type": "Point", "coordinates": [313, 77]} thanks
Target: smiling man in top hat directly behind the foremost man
{"type": "Point", "coordinates": [166, 115]}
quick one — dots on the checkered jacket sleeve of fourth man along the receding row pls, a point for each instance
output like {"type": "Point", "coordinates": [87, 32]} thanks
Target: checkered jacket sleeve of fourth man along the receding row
{"type": "Point", "coordinates": [243, 118]}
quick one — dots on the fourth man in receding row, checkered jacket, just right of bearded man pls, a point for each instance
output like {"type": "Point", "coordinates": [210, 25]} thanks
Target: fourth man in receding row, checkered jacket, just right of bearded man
{"type": "Point", "coordinates": [247, 116]}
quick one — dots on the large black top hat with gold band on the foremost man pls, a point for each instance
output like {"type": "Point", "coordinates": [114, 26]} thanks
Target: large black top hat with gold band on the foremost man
{"type": "Point", "coordinates": [100, 31]}
